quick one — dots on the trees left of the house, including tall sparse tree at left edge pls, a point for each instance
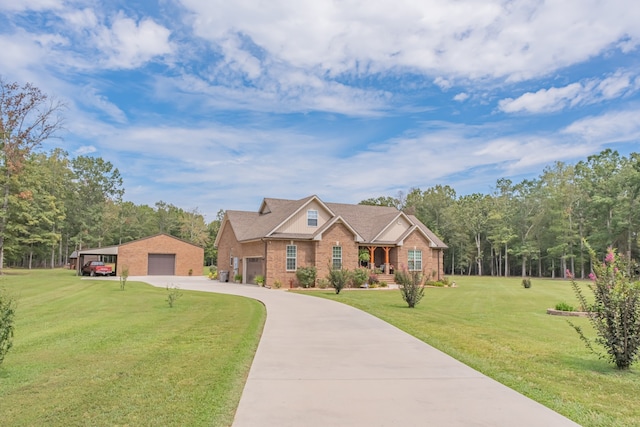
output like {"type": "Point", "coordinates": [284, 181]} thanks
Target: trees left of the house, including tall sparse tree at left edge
{"type": "Point", "coordinates": [52, 204]}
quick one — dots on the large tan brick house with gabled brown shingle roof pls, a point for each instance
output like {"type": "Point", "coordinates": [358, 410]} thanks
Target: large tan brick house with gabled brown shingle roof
{"type": "Point", "coordinates": [284, 235]}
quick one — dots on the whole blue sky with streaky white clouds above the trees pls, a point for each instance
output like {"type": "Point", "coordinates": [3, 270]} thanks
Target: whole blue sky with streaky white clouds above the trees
{"type": "Point", "coordinates": [216, 104]}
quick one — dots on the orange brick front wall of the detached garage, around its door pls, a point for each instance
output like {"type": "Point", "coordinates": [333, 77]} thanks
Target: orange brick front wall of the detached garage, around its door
{"type": "Point", "coordinates": [135, 255]}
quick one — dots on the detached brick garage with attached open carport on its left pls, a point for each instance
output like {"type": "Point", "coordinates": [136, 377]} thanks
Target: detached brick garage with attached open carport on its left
{"type": "Point", "coordinates": [156, 255]}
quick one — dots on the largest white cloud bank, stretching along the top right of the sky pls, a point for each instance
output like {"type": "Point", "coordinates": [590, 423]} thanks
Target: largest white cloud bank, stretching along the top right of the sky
{"type": "Point", "coordinates": [518, 39]}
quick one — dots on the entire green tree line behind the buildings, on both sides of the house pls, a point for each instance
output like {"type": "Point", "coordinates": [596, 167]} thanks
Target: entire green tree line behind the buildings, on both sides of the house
{"type": "Point", "coordinates": [52, 204]}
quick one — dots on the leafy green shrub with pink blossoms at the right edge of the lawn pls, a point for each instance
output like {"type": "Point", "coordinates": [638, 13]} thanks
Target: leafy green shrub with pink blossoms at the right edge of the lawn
{"type": "Point", "coordinates": [615, 312]}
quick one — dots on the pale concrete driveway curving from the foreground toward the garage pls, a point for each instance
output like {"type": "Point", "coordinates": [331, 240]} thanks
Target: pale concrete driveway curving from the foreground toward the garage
{"type": "Point", "coordinates": [322, 363]}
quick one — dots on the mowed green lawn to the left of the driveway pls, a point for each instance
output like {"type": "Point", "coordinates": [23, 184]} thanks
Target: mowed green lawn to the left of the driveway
{"type": "Point", "coordinates": [87, 353]}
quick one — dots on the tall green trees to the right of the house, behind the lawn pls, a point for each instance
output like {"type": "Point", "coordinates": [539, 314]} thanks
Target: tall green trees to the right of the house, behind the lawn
{"type": "Point", "coordinates": [536, 227]}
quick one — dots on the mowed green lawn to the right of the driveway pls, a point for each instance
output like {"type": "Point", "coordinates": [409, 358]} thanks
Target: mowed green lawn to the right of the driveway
{"type": "Point", "coordinates": [501, 329]}
